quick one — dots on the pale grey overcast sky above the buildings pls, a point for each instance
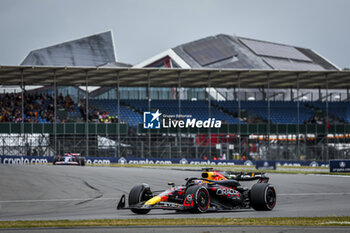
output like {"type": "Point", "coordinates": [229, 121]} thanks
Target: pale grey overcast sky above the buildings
{"type": "Point", "coordinates": [143, 28]}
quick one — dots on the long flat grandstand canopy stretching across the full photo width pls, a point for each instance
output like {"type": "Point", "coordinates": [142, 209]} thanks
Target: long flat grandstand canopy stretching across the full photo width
{"type": "Point", "coordinates": [138, 77]}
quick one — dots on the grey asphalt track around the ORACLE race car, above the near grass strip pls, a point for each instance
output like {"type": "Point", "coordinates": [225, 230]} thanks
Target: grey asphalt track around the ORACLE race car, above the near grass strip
{"type": "Point", "coordinates": [45, 192]}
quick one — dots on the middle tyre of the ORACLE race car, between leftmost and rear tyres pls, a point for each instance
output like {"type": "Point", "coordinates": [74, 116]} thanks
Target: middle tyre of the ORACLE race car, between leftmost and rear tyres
{"type": "Point", "coordinates": [198, 197]}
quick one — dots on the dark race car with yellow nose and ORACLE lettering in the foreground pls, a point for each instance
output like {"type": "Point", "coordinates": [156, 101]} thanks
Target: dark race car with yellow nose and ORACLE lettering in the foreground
{"type": "Point", "coordinates": [214, 191]}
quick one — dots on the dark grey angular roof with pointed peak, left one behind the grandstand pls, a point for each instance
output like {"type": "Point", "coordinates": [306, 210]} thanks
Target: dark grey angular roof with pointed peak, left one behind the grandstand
{"type": "Point", "coordinates": [94, 50]}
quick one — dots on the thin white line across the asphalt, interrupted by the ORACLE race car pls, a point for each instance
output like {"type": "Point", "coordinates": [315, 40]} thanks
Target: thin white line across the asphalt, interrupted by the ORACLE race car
{"type": "Point", "coordinates": [112, 198]}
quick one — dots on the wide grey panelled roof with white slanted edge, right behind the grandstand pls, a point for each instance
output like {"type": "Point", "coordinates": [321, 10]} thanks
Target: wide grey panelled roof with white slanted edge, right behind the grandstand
{"type": "Point", "coordinates": [226, 51]}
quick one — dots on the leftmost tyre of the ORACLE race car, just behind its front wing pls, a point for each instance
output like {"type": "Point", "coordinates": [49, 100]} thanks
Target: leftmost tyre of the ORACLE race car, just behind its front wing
{"type": "Point", "coordinates": [139, 193]}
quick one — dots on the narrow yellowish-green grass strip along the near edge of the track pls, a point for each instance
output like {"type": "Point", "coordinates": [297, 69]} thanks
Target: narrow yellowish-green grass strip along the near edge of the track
{"type": "Point", "coordinates": [305, 221]}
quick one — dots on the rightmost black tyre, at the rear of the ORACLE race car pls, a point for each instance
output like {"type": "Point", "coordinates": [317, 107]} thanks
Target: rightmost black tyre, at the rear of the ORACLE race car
{"type": "Point", "coordinates": [262, 196]}
